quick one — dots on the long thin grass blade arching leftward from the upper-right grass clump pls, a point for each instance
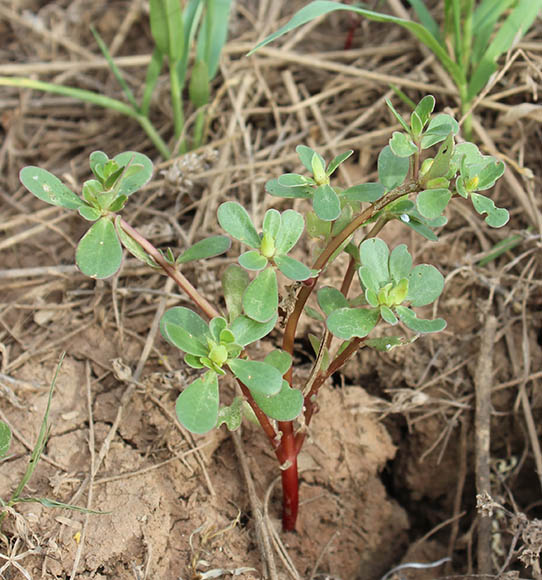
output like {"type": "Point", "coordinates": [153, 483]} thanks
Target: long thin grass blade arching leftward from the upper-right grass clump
{"type": "Point", "coordinates": [321, 7]}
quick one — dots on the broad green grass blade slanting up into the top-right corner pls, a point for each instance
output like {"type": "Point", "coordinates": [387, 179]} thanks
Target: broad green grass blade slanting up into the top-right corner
{"type": "Point", "coordinates": [514, 27]}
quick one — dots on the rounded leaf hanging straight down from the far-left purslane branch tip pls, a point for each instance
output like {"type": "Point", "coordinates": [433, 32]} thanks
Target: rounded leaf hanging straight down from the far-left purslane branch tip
{"type": "Point", "coordinates": [99, 253]}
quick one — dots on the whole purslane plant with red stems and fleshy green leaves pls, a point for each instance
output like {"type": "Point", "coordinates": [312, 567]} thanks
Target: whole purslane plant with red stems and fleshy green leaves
{"type": "Point", "coordinates": [419, 172]}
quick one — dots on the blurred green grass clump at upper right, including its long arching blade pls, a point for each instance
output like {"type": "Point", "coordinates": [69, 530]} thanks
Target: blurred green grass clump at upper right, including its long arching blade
{"type": "Point", "coordinates": [474, 36]}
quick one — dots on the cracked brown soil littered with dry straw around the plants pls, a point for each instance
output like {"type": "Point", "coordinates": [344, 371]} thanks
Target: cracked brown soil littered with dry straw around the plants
{"type": "Point", "coordinates": [388, 471]}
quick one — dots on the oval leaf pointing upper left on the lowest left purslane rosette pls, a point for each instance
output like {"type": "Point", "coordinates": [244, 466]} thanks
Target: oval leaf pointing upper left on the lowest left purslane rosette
{"type": "Point", "coordinates": [186, 330]}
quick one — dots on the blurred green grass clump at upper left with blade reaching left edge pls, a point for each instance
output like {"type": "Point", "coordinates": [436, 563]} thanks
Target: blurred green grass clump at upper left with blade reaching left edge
{"type": "Point", "coordinates": [203, 23]}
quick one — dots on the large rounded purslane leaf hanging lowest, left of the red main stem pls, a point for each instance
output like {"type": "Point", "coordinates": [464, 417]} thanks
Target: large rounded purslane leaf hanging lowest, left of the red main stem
{"type": "Point", "coordinates": [197, 405]}
